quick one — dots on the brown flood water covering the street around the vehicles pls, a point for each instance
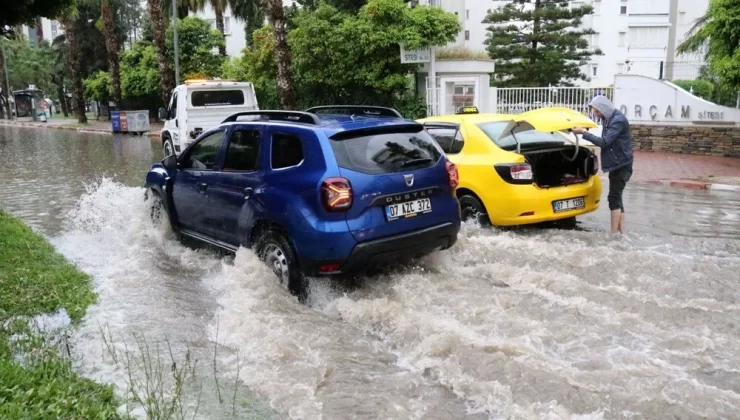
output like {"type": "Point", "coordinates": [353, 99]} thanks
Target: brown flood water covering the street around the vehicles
{"type": "Point", "coordinates": [521, 324]}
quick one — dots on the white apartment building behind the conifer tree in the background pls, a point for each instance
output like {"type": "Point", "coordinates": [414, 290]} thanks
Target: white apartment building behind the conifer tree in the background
{"type": "Point", "coordinates": [635, 36]}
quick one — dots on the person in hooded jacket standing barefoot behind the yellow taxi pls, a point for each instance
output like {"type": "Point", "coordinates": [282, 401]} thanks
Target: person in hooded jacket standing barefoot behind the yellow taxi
{"type": "Point", "coordinates": [616, 154]}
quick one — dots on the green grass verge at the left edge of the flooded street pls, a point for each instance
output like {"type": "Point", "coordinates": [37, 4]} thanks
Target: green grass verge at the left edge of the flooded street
{"type": "Point", "coordinates": [35, 279]}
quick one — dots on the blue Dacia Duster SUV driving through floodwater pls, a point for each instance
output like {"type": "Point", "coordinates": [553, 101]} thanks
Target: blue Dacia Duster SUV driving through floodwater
{"type": "Point", "coordinates": [333, 190]}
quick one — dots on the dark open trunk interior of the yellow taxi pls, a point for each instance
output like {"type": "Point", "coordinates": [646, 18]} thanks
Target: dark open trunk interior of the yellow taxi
{"type": "Point", "coordinates": [554, 167]}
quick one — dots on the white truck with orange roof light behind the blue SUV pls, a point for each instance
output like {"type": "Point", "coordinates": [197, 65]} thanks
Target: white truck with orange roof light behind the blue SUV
{"type": "Point", "coordinates": [198, 105]}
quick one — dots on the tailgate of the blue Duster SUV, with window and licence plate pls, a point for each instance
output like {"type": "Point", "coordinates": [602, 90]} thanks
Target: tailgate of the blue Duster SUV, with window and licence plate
{"type": "Point", "coordinates": [397, 170]}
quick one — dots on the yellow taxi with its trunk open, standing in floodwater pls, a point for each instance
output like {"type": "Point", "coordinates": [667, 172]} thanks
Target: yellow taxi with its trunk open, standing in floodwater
{"type": "Point", "coordinates": [520, 169]}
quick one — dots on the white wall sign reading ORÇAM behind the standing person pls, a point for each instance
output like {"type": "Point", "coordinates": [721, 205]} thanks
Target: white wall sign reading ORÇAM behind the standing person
{"type": "Point", "coordinates": [652, 101]}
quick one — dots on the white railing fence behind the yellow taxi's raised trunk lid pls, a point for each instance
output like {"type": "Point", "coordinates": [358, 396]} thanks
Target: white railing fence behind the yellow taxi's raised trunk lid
{"type": "Point", "coordinates": [519, 100]}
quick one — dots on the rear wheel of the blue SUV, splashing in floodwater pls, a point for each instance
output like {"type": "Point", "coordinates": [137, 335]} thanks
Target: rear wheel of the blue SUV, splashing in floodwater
{"type": "Point", "coordinates": [274, 249]}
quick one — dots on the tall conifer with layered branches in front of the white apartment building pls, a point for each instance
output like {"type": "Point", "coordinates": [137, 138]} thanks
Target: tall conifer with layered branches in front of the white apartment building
{"type": "Point", "coordinates": [538, 42]}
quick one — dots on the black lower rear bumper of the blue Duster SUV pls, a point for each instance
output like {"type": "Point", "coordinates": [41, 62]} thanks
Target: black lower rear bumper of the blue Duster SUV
{"type": "Point", "coordinates": [395, 248]}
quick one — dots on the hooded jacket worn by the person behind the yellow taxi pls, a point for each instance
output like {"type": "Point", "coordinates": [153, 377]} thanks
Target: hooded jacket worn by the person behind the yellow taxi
{"type": "Point", "coordinates": [615, 141]}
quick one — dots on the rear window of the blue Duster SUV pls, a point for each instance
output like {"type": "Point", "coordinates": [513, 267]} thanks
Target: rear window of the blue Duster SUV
{"type": "Point", "coordinates": [386, 152]}
